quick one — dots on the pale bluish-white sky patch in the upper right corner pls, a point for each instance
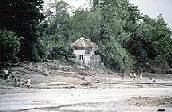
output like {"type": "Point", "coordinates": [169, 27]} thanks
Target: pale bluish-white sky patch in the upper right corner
{"type": "Point", "coordinates": [155, 7]}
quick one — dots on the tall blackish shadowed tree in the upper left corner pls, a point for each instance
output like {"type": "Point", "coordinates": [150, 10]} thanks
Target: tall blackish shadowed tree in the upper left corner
{"type": "Point", "coordinates": [22, 17]}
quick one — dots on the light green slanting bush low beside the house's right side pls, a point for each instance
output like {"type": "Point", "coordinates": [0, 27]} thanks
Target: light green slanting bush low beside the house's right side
{"type": "Point", "coordinates": [116, 57]}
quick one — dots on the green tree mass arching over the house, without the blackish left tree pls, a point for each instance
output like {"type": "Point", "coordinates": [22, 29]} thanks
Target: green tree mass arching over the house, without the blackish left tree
{"type": "Point", "coordinates": [127, 39]}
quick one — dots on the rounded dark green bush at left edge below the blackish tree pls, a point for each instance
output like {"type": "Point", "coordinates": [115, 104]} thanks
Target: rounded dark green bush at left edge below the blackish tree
{"type": "Point", "coordinates": [9, 46]}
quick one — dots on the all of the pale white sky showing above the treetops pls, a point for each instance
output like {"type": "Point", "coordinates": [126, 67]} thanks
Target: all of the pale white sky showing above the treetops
{"type": "Point", "coordinates": [150, 7]}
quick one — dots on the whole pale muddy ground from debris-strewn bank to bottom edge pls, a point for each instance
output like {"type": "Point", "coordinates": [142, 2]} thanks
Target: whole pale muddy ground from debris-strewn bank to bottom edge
{"type": "Point", "coordinates": [65, 88]}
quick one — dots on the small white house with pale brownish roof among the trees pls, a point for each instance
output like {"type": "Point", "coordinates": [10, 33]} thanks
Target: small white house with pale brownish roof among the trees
{"type": "Point", "coordinates": [84, 51]}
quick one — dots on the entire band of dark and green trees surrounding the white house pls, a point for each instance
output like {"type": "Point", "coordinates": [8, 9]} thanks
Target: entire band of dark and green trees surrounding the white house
{"type": "Point", "coordinates": [127, 39]}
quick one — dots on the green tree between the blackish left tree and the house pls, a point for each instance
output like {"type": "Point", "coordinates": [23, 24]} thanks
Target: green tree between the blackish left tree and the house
{"type": "Point", "coordinates": [57, 34]}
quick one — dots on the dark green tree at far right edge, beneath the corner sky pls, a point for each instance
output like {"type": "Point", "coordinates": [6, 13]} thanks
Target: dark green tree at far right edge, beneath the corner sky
{"type": "Point", "coordinates": [159, 35]}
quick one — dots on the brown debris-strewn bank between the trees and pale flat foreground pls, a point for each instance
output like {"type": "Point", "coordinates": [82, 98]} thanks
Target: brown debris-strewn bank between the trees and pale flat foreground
{"type": "Point", "coordinates": [55, 74]}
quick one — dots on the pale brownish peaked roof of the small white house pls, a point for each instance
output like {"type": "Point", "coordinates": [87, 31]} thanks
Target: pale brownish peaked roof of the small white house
{"type": "Point", "coordinates": [83, 43]}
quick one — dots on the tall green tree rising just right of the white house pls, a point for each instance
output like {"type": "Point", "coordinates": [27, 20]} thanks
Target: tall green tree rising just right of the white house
{"type": "Point", "coordinates": [112, 34]}
